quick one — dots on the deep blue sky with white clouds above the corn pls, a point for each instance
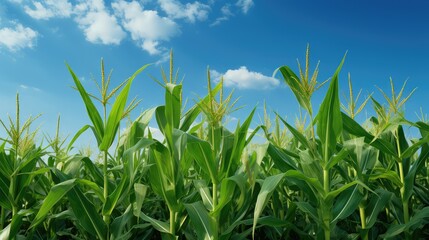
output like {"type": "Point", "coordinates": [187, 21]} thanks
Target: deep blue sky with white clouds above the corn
{"type": "Point", "coordinates": [244, 40]}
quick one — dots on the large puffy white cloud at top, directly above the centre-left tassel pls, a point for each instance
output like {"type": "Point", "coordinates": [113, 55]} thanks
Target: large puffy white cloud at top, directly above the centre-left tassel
{"type": "Point", "coordinates": [147, 28]}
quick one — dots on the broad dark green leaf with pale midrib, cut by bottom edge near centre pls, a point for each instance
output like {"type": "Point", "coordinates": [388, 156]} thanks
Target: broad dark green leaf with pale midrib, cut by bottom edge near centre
{"type": "Point", "coordinates": [203, 223]}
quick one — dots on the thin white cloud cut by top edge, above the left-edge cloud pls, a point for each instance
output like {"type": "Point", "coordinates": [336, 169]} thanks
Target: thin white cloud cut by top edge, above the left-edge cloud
{"type": "Point", "coordinates": [49, 8]}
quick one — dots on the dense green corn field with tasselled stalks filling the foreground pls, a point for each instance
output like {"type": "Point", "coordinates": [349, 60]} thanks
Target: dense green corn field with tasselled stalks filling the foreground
{"type": "Point", "coordinates": [327, 178]}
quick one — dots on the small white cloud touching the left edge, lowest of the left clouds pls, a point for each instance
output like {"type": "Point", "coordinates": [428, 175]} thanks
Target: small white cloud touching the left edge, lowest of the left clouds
{"type": "Point", "coordinates": [18, 37]}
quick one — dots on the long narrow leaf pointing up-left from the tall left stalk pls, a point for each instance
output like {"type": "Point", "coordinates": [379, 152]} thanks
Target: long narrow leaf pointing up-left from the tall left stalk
{"type": "Point", "coordinates": [92, 111]}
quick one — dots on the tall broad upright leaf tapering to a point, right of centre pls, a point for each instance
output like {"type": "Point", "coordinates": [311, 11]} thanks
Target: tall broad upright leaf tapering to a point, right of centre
{"type": "Point", "coordinates": [329, 122]}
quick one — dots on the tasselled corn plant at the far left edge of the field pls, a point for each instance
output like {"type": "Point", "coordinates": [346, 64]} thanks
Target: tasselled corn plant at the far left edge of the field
{"type": "Point", "coordinates": [19, 170]}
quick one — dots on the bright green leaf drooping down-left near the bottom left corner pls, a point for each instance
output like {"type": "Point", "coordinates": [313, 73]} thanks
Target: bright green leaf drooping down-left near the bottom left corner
{"type": "Point", "coordinates": [55, 195]}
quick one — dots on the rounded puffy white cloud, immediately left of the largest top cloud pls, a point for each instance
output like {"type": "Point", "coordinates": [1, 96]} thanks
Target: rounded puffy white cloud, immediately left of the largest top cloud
{"type": "Point", "coordinates": [98, 25]}
